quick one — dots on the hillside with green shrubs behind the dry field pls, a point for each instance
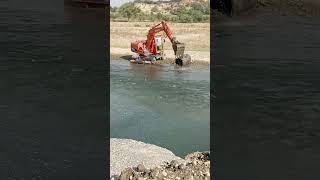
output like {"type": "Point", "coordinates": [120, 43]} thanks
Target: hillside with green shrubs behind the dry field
{"type": "Point", "coordinates": [197, 11]}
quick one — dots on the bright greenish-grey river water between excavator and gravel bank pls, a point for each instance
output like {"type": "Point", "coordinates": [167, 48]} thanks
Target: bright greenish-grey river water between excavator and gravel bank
{"type": "Point", "coordinates": [161, 105]}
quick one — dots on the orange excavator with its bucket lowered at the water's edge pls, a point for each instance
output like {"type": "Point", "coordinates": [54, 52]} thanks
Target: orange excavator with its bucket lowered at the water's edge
{"type": "Point", "coordinates": [150, 50]}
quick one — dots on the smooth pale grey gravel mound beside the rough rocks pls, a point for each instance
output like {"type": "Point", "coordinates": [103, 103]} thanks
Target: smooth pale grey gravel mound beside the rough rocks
{"type": "Point", "coordinates": [126, 153]}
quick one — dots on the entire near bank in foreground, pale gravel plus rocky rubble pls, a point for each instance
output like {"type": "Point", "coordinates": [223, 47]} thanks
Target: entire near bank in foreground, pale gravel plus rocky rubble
{"type": "Point", "coordinates": [142, 160]}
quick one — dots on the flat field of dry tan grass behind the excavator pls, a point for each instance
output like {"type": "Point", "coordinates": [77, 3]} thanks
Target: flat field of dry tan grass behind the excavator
{"type": "Point", "coordinates": [196, 36]}
